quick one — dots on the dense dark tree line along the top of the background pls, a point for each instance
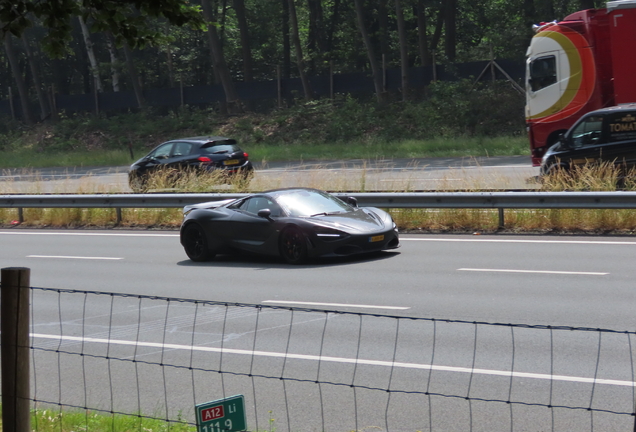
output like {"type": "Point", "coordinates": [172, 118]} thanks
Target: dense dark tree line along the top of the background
{"type": "Point", "coordinates": [81, 46]}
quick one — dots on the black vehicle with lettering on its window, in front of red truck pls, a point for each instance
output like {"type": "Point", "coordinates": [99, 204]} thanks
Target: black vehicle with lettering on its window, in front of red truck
{"type": "Point", "coordinates": [605, 135]}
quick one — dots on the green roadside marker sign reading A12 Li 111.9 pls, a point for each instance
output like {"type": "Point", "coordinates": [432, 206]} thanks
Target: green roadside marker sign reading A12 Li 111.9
{"type": "Point", "coordinates": [222, 415]}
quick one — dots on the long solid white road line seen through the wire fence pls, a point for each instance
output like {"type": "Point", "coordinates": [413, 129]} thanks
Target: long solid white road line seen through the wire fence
{"type": "Point", "coordinates": [404, 365]}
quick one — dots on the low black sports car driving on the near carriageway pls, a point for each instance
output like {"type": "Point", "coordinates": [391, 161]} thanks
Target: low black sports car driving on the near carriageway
{"type": "Point", "coordinates": [295, 224]}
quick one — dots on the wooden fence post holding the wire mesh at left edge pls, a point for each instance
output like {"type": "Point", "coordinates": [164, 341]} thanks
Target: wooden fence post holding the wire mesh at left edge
{"type": "Point", "coordinates": [14, 325]}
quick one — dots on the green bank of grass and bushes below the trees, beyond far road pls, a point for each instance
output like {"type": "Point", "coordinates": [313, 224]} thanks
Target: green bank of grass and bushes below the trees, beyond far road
{"type": "Point", "coordinates": [450, 120]}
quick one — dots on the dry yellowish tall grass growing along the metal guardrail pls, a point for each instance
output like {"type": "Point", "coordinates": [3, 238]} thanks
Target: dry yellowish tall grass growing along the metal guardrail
{"type": "Point", "coordinates": [602, 177]}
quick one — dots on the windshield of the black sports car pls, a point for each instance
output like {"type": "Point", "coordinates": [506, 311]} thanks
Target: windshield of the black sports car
{"type": "Point", "coordinates": [304, 203]}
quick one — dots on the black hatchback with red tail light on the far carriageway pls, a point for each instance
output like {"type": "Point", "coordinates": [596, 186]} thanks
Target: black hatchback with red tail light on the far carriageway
{"type": "Point", "coordinates": [204, 154]}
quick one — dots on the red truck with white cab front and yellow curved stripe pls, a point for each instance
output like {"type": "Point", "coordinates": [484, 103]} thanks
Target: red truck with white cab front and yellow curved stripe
{"type": "Point", "coordinates": [574, 66]}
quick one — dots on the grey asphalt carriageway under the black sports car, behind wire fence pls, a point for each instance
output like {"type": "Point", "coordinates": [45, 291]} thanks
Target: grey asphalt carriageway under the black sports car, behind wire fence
{"type": "Point", "coordinates": [537, 280]}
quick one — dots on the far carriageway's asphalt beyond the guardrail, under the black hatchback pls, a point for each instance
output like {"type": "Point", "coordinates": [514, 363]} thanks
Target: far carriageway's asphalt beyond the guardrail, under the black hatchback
{"type": "Point", "coordinates": [512, 172]}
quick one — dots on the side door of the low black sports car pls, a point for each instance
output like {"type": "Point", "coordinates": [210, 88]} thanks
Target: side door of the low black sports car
{"type": "Point", "coordinates": [253, 232]}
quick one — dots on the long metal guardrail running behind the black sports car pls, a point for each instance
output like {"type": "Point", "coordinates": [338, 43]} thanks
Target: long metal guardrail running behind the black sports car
{"type": "Point", "coordinates": [479, 200]}
